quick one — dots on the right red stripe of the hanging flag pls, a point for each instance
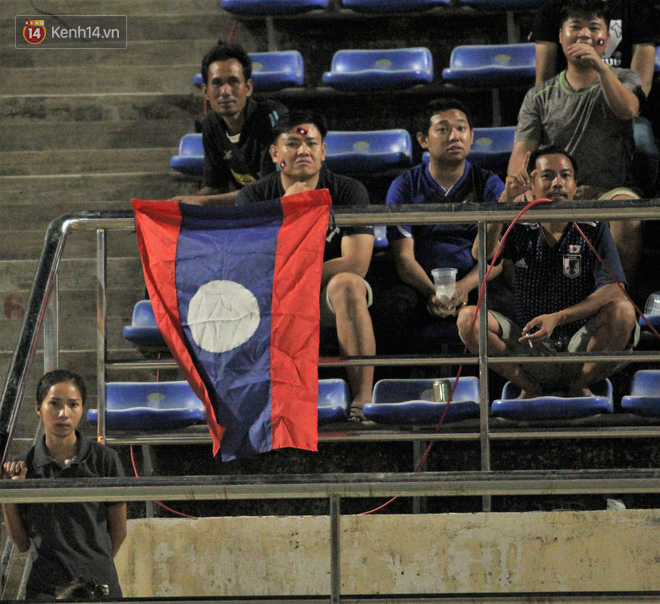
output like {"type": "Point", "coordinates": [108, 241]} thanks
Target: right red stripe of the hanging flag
{"type": "Point", "coordinates": [294, 347]}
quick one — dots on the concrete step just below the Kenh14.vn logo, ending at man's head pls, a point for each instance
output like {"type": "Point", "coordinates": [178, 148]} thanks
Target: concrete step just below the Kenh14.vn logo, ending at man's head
{"type": "Point", "coordinates": [99, 79]}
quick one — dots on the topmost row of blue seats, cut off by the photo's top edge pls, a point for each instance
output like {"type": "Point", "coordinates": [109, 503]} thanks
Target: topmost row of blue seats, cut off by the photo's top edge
{"type": "Point", "coordinates": [289, 7]}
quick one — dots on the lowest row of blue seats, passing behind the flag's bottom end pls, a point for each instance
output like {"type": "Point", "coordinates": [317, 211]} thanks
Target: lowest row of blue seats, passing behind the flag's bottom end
{"type": "Point", "coordinates": [171, 405]}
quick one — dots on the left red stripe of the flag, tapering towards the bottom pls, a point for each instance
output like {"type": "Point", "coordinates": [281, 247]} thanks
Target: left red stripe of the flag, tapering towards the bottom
{"type": "Point", "coordinates": [157, 225]}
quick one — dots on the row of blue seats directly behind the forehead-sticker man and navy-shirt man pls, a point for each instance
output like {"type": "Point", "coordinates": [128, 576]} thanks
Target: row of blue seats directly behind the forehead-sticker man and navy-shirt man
{"type": "Point", "coordinates": [369, 152]}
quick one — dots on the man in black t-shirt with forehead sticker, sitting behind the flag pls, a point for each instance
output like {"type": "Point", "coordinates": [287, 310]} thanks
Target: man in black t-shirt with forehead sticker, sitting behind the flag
{"type": "Point", "coordinates": [298, 151]}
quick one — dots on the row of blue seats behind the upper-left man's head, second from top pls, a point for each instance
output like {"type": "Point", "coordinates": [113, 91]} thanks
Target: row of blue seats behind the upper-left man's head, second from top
{"type": "Point", "coordinates": [480, 66]}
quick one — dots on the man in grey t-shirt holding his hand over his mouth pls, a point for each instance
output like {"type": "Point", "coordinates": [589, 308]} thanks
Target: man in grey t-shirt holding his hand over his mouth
{"type": "Point", "coordinates": [588, 110]}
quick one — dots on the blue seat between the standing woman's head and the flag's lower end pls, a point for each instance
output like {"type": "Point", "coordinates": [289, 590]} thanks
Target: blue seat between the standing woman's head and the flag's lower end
{"type": "Point", "coordinates": [150, 406]}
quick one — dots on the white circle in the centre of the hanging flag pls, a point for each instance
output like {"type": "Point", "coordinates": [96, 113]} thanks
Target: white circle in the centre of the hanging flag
{"type": "Point", "coordinates": [222, 315]}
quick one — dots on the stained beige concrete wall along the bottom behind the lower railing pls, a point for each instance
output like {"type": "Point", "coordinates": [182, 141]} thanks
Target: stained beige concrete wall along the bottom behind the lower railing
{"type": "Point", "coordinates": [440, 553]}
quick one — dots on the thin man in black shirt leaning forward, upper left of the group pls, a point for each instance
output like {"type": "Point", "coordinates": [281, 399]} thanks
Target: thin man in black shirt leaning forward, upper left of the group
{"type": "Point", "coordinates": [237, 131]}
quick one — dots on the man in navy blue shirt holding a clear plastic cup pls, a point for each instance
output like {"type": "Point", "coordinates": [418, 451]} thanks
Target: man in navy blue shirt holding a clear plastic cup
{"type": "Point", "coordinates": [444, 129]}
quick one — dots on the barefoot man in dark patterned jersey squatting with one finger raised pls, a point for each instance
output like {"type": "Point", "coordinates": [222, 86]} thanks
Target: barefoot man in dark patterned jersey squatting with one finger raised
{"type": "Point", "coordinates": [564, 299]}
